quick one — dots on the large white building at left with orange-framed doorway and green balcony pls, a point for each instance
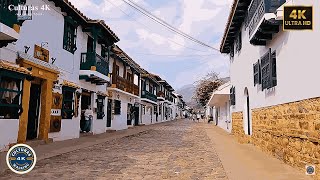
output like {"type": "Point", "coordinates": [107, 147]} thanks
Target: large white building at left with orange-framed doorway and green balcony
{"type": "Point", "coordinates": [52, 72]}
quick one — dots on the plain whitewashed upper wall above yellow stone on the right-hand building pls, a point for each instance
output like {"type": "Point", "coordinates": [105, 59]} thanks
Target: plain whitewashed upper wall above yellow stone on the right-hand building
{"type": "Point", "coordinates": [297, 66]}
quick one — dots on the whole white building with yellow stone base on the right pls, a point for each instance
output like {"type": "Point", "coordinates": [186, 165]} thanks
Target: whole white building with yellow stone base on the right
{"type": "Point", "coordinates": [275, 91]}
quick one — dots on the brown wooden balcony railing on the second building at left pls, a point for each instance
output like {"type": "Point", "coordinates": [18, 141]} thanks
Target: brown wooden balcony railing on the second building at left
{"type": "Point", "coordinates": [125, 85]}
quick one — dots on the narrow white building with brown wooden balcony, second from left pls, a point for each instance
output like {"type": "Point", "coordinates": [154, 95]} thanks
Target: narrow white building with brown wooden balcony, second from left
{"type": "Point", "coordinates": [124, 101]}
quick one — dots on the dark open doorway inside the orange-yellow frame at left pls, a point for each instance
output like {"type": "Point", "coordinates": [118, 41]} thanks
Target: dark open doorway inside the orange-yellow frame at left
{"type": "Point", "coordinates": [33, 113]}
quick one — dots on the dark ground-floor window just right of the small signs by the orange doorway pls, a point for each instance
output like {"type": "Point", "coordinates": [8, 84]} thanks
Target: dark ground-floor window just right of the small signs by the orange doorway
{"type": "Point", "coordinates": [68, 102]}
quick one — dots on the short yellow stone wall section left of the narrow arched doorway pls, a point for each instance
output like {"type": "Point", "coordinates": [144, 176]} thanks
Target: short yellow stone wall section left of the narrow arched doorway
{"type": "Point", "coordinates": [237, 128]}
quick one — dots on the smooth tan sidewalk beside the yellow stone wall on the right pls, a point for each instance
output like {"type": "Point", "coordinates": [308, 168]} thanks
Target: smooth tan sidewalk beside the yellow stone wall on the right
{"type": "Point", "coordinates": [246, 162]}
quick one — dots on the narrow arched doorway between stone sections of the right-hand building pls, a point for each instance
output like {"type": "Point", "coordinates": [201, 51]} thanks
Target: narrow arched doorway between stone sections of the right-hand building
{"type": "Point", "coordinates": [247, 112]}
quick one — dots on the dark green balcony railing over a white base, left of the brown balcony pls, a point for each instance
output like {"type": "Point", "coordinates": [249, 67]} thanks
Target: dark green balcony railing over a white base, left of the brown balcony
{"type": "Point", "coordinates": [92, 59]}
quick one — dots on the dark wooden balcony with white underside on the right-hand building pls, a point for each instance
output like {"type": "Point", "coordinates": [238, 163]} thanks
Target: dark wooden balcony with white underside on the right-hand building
{"type": "Point", "coordinates": [261, 20]}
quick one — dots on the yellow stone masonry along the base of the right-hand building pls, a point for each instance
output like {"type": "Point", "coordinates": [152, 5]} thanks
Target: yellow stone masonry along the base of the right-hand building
{"type": "Point", "coordinates": [290, 132]}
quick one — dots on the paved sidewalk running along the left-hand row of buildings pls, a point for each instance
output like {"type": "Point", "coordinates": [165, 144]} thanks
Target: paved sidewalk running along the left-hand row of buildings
{"type": "Point", "coordinates": [61, 147]}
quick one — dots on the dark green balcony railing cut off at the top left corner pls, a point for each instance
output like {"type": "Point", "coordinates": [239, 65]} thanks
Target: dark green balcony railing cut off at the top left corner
{"type": "Point", "coordinates": [8, 17]}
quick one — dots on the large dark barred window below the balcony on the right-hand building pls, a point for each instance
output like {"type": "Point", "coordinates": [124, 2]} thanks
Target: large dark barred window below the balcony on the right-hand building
{"type": "Point", "coordinates": [268, 70]}
